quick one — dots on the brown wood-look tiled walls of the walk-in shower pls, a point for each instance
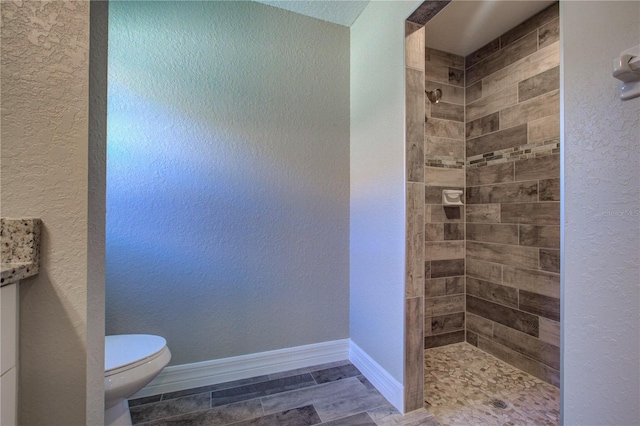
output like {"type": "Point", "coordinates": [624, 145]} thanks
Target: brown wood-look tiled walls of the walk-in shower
{"type": "Point", "coordinates": [485, 271]}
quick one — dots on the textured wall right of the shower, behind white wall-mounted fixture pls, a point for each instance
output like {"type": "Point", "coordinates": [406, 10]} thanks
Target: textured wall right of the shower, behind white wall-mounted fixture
{"type": "Point", "coordinates": [601, 295]}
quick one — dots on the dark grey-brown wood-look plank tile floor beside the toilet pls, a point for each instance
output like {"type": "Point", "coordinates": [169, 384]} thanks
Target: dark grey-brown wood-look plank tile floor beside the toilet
{"type": "Point", "coordinates": [333, 394]}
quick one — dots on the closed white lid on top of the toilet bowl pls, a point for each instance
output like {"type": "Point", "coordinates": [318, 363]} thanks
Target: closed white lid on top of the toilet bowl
{"type": "Point", "coordinates": [124, 349]}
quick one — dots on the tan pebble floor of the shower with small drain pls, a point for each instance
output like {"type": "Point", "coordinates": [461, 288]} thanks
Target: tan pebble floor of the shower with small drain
{"type": "Point", "coordinates": [462, 381]}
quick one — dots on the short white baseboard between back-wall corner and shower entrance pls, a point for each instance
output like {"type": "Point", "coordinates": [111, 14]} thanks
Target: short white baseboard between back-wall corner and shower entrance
{"type": "Point", "coordinates": [386, 384]}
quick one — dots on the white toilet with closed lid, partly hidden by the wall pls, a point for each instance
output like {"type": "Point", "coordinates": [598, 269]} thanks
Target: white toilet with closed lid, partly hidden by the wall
{"type": "Point", "coordinates": [131, 361]}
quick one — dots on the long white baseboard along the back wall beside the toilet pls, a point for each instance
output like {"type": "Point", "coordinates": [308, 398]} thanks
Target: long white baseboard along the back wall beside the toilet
{"type": "Point", "coordinates": [187, 376]}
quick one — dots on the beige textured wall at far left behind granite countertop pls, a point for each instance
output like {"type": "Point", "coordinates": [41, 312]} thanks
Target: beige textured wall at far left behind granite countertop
{"type": "Point", "coordinates": [45, 174]}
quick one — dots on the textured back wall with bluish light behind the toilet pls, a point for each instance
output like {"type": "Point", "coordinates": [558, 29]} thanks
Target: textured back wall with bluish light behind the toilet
{"type": "Point", "coordinates": [228, 174]}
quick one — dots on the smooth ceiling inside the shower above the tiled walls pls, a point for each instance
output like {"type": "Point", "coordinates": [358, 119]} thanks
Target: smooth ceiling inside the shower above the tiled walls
{"type": "Point", "coordinates": [463, 27]}
